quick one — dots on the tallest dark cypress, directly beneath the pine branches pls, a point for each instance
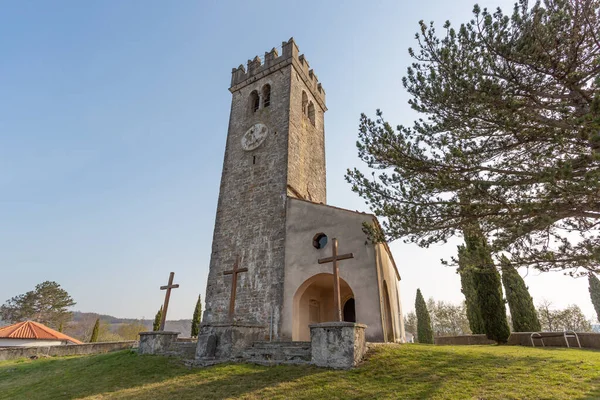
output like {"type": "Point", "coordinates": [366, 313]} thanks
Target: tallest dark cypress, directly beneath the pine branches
{"type": "Point", "coordinates": [487, 285]}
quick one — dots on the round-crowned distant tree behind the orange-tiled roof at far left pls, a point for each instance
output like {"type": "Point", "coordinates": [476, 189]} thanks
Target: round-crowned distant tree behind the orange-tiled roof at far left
{"type": "Point", "coordinates": [48, 304]}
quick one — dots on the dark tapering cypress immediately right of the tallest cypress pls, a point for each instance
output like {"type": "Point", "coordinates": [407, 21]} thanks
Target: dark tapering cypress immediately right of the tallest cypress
{"type": "Point", "coordinates": [522, 311]}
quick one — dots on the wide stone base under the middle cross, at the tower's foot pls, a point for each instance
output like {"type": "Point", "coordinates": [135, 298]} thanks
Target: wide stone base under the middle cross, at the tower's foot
{"type": "Point", "coordinates": [227, 341]}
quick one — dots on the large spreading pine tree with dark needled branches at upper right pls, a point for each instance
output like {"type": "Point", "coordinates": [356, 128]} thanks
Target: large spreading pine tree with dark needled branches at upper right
{"type": "Point", "coordinates": [509, 114]}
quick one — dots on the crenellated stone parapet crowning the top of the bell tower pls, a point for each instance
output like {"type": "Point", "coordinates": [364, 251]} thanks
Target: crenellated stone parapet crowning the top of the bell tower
{"type": "Point", "coordinates": [272, 61]}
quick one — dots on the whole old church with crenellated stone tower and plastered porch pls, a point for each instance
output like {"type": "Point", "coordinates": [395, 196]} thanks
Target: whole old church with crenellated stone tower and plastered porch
{"type": "Point", "coordinates": [275, 238]}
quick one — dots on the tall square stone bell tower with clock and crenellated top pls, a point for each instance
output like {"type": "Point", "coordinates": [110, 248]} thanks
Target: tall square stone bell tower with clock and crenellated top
{"type": "Point", "coordinates": [275, 149]}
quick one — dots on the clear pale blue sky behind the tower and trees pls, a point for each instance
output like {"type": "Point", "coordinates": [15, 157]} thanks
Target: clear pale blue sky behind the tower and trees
{"type": "Point", "coordinates": [113, 118]}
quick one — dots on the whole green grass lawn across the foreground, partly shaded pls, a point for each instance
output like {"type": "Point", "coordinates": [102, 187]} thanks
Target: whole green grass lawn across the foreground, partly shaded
{"type": "Point", "coordinates": [390, 372]}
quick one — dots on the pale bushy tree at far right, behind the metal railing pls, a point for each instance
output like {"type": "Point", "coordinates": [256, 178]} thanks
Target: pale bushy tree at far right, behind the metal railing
{"type": "Point", "coordinates": [571, 318]}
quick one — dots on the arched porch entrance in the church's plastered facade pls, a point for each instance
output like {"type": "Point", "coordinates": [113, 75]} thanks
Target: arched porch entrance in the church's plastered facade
{"type": "Point", "coordinates": [313, 303]}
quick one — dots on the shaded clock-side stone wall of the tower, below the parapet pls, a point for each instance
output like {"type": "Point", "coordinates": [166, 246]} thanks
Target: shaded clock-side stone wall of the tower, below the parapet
{"type": "Point", "coordinates": [250, 219]}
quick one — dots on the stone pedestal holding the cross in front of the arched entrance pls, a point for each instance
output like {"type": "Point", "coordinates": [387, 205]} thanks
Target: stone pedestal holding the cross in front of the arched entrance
{"type": "Point", "coordinates": [337, 344]}
